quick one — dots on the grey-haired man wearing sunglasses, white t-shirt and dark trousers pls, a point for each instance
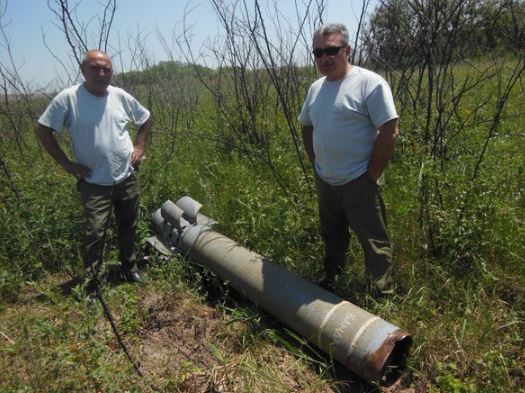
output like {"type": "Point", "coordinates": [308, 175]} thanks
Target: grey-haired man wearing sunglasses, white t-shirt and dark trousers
{"type": "Point", "coordinates": [350, 127]}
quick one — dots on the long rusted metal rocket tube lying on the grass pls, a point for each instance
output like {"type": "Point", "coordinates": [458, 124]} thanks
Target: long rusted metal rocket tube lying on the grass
{"type": "Point", "coordinates": [373, 348]}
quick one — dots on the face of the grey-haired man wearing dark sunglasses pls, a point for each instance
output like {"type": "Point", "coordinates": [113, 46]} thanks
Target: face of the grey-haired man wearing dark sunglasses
{"type": "Point", "coordinates": [333, 66]}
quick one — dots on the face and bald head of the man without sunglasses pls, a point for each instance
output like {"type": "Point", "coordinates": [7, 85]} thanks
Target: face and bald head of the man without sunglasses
{"type": "Point", "coordinates": [97, 71]}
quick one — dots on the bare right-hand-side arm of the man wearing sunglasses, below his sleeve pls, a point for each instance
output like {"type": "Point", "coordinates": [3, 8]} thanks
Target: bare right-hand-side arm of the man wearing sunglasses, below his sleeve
{"type": "Point", "coordinates": [383, 148]}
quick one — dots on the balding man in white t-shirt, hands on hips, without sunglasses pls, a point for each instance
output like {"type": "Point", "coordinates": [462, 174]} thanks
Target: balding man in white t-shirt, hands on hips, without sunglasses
{"type": "Point", "coordinates": [105, 159]}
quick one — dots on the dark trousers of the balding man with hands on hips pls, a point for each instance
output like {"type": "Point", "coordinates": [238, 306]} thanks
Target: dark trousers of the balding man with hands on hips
{"type": "Point", "coordinates": [98, 201]}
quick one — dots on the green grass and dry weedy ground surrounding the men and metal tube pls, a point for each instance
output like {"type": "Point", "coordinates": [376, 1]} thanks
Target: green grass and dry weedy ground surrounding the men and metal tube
{"type": "Point", "coordinates": [459, 259]}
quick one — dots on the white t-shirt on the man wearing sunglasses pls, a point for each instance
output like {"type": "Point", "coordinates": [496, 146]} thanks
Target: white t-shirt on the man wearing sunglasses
{"type": "Point", "coordinates": [345, 115]}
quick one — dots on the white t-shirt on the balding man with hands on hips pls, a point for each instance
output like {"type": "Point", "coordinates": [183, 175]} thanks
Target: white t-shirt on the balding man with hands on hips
{"type": "Point", "coordinates": [99, 129]}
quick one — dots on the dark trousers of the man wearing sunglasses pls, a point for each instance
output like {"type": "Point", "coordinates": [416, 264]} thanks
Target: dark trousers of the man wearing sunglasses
{"type": "Point", "coordinates": [358, 205]}
